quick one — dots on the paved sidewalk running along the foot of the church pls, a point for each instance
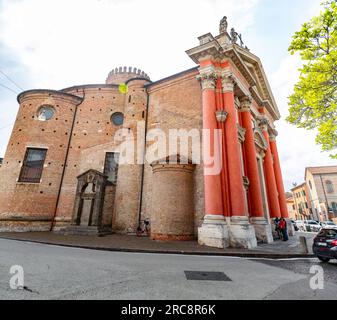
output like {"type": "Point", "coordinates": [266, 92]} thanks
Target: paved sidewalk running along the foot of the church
{"type": "Point", "coordinates": [124, 243]}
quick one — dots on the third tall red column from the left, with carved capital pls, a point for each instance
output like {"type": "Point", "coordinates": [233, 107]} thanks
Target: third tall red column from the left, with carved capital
{"type": "Point", "coordinates": [255, 194]}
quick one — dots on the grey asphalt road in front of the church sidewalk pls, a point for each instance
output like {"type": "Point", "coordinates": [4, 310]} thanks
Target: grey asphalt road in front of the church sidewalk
{"type": "Point", "coordinates": [52, 272]}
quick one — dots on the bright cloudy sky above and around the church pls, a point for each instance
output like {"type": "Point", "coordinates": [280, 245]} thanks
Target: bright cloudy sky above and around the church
{"type": "Point", "coordinates": [56, 44]}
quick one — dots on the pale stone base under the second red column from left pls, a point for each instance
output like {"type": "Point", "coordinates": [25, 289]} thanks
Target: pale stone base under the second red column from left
{"type": "Point", "coordinates": [241, 233]}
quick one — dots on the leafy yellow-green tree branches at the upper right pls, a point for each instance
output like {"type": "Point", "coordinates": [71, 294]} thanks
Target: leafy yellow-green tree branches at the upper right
{"type": "Point", "coordinates": [313, 105]}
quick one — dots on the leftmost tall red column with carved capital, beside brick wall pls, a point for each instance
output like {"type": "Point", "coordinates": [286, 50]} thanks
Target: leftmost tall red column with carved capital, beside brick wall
{"type": "Point", "coordinates": [212, 182]}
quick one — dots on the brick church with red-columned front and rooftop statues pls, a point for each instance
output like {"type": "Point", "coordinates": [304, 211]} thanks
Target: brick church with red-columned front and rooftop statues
{"type": "Point", "coordinates": [62, 170]}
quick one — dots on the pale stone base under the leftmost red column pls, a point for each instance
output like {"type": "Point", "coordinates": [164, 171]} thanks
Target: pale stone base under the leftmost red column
{"type": "Point", "coordinates": [214, 232]}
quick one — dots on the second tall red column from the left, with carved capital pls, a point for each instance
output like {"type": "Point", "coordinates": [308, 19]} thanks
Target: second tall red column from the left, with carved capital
{"type": "Point", "coordinates": [235, 176]}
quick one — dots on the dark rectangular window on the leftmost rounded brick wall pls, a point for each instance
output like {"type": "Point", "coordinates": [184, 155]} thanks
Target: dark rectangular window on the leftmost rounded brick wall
{"type": "Point", "coordinates": [32, 167]}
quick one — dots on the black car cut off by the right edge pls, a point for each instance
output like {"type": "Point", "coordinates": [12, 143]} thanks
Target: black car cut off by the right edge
{"type": "Point", "coordinates": [325, 244]}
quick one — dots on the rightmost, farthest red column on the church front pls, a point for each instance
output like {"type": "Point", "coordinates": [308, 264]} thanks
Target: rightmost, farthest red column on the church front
{"type": "Point", "coordinates": [278, 178]}
